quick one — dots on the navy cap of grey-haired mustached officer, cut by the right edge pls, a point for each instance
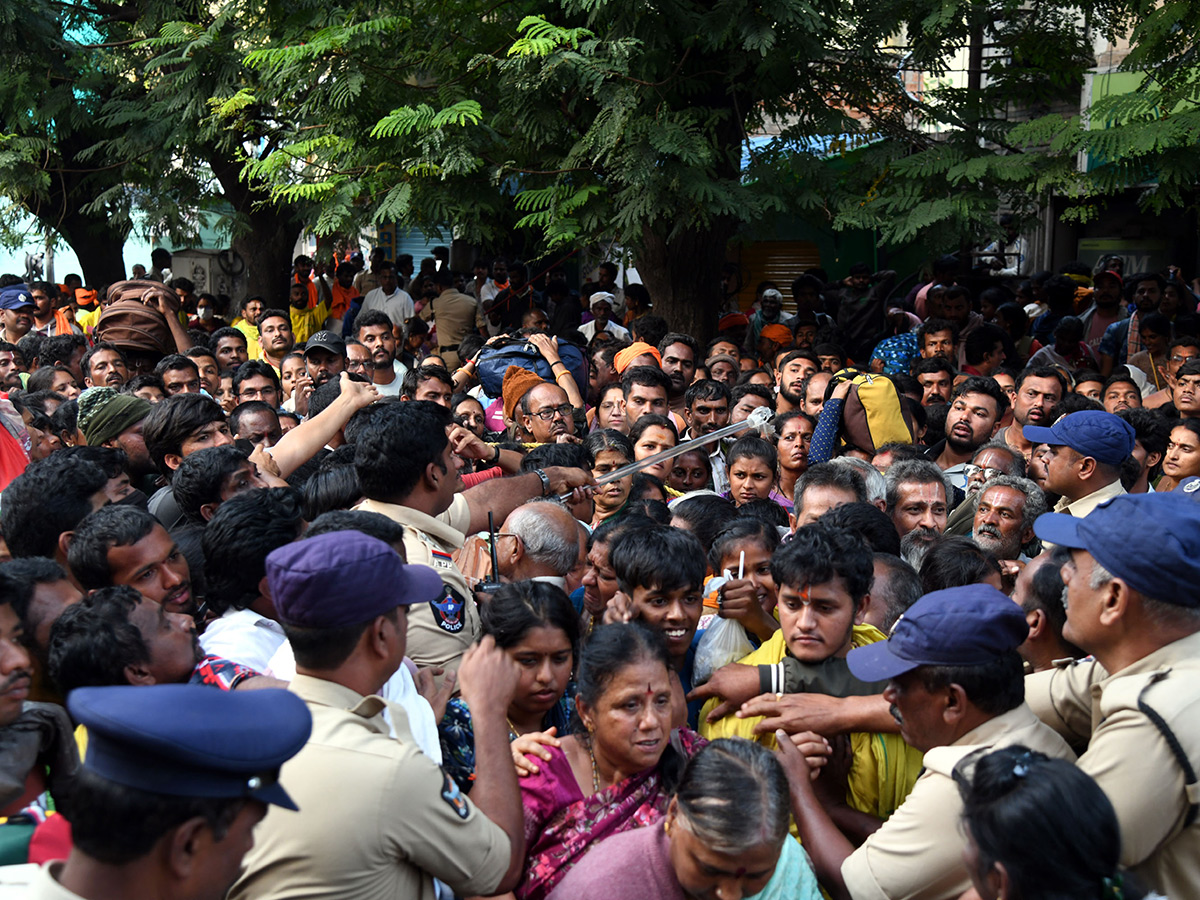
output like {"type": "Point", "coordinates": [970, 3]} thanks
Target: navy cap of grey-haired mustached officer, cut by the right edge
{"type": "Point", "coordinates": [1149, 541]}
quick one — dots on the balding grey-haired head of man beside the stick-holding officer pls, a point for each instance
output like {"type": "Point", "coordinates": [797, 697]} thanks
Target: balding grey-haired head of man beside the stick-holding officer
{"type": "Point", "coordinates": [538, 539]}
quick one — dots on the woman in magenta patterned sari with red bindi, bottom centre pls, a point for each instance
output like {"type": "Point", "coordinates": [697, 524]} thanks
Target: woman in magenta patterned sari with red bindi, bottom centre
{"type": "Point", "coordinates": [619, 771]}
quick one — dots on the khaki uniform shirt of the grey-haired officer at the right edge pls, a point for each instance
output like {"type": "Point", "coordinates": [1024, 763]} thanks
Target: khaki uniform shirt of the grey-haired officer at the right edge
{"type": "Point", "coordinates": [1130, 758]}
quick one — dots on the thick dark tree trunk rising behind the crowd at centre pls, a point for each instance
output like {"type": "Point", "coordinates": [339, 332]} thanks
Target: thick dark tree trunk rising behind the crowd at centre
{"type": "Point", "coordinates": [683, 274]}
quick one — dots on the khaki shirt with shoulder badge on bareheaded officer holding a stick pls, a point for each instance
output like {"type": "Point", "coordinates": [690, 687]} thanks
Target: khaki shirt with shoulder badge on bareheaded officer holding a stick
{"type": "Point", "coordinates": [439, 633]}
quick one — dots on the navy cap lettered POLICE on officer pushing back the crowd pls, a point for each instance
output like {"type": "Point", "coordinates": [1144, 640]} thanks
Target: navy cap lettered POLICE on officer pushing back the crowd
{"type": "Point", "coordinates": [970, 626]}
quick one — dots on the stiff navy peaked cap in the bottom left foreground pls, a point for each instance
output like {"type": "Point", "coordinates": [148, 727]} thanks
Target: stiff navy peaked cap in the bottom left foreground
{"type": "Point", "coordinates": [193, 741]}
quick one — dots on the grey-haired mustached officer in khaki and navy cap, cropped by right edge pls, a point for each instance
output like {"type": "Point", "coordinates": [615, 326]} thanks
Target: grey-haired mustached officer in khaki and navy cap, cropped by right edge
{"type": "Point", "coordinates": [1133, 602]}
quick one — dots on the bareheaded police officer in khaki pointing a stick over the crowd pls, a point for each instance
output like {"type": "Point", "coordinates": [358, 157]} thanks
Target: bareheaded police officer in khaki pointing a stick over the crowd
{"type": "Point", "coordinates": [409, 471]}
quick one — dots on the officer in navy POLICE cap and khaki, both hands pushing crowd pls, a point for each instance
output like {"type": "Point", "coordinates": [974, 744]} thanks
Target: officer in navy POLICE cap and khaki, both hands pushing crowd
{"type": "Point", "coordinates": [956, 688]}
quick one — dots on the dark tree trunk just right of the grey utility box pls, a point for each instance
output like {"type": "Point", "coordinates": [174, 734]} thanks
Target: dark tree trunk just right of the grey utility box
{"type": "Point", "coordinates": [267, 244]}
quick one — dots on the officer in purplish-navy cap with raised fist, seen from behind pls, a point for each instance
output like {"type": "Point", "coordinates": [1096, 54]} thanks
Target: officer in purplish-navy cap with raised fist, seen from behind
{"type": "Point", "coordinates": [381, 820]}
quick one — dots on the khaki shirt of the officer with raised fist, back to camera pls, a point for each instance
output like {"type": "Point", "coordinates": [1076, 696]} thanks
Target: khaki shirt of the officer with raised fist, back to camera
{"type": "Point", "coordinates": [379, 820]}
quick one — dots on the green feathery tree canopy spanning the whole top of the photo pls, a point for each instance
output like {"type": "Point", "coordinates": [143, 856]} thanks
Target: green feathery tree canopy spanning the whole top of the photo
{"type": "Point", "coordinates": [585, 121]}
